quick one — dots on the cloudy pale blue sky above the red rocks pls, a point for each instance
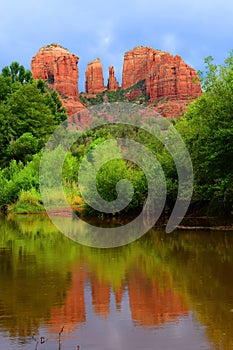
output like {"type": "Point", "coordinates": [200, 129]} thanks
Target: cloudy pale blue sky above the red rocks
{"type": "Point", "coordinates": [193, 29]}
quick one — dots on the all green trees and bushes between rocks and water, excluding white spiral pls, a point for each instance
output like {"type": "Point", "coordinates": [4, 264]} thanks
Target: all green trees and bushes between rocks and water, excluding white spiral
{"type": "Point", "coordinates": [29, 112]}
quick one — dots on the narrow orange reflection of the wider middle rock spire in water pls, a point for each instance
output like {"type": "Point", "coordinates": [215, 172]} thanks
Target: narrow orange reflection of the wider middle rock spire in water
{"type": "Point", "coordinates": [100, 297]}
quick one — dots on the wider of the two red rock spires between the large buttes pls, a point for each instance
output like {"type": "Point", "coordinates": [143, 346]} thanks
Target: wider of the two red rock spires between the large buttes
{"type": "Point", "coordinates": [94, 77]}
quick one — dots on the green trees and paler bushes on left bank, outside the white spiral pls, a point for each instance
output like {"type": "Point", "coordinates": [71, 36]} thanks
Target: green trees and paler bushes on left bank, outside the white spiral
{"type": "Point", "coordinates": [29, 113]}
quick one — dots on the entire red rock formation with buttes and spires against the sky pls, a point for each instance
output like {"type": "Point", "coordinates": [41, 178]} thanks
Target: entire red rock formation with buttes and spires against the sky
{"type": "Point", "coordinates": [150, 77]}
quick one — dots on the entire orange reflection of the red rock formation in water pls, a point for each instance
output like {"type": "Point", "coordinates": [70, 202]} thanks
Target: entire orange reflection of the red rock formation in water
{"type": "Point", "coordinates": [149, 304]}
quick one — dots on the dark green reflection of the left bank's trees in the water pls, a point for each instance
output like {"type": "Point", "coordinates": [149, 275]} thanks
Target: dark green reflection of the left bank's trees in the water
{"type": "Point", "coordinates": [29, 279]}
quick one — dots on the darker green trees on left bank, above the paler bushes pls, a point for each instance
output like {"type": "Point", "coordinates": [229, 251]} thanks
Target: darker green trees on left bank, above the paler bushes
{"type": "Point", "coordinates": [26, 106]}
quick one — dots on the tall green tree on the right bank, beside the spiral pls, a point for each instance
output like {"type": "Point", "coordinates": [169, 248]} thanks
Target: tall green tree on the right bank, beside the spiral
{"type": "Point", "coordinates": [207, 128]}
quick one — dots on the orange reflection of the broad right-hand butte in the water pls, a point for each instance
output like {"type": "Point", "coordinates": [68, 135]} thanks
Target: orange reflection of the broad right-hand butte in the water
{"type": "Point", "coordinates": [151, 306]}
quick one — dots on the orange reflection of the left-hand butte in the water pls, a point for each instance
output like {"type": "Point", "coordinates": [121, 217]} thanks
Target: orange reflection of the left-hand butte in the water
{"type": "Point", "coordinates": [73, 310]}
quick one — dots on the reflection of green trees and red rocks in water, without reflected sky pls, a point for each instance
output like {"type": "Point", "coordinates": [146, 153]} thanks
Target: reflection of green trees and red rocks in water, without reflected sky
{"type": "Point", "coordinates": [43, 276]}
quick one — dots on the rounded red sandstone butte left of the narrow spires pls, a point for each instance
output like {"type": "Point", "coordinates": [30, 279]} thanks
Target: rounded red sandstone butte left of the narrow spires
{"type": "Point", "coordinates": [58, 67]}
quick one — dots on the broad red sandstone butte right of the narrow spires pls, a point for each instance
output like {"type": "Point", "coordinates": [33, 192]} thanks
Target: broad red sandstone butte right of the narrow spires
{"type": "Point", "coordinates": [167, 79]}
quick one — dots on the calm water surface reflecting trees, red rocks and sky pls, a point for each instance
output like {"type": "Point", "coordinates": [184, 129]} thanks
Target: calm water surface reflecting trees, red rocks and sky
{"type": "Point", "coordinates": [165, 292]}
